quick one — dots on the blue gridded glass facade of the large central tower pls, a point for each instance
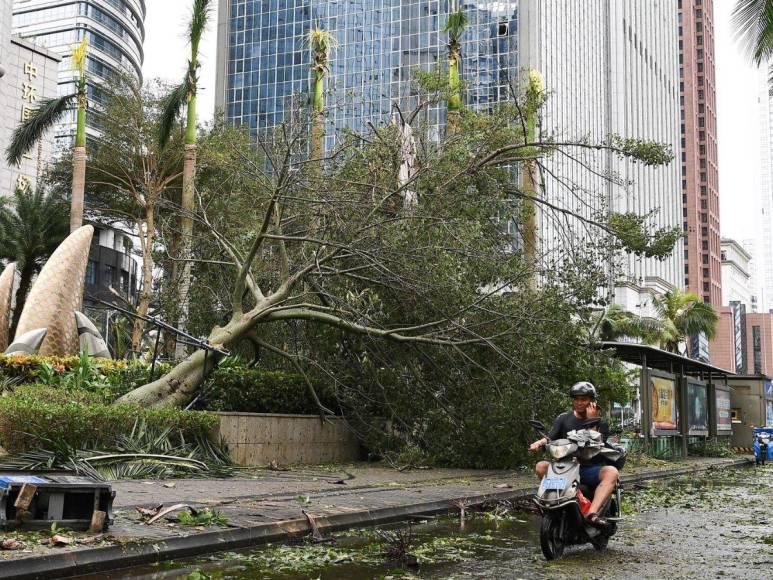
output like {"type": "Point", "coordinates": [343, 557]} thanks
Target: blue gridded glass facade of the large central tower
{"type": "Point", "coordinates": [381, 43]}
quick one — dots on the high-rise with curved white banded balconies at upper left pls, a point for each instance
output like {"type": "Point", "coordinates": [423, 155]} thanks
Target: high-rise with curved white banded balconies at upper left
{"type": "Point", "coordinates": [115, 32]}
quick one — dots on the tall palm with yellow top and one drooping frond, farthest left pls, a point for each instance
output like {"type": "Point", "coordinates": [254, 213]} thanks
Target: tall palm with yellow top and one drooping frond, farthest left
{"type": "Point", "coordinates": [50, 112]}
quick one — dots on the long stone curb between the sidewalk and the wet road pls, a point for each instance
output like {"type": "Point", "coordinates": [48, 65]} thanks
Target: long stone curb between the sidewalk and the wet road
{"type": "Point", "coordinates": [68, 564]}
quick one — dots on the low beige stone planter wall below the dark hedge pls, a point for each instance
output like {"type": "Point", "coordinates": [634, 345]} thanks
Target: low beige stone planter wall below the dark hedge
{"type": "Point", "coordinates": [259, 438]}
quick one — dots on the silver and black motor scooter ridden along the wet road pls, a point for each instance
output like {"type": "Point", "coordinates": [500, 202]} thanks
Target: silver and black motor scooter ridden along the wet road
{"type": "Point", "coordinates": [563, 500]}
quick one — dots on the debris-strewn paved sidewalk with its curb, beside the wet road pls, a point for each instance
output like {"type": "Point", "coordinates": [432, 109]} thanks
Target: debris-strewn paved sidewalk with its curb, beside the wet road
{"type": "Point", "coordinates": [268, 506]}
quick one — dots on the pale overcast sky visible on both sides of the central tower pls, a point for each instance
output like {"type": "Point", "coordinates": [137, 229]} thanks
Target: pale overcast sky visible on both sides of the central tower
{"type": "Point", "coordinates": [738, 137]}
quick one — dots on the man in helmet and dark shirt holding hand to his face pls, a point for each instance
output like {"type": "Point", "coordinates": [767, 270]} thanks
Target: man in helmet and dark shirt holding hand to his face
{"type": "Point", "coordinates": [595, 473]}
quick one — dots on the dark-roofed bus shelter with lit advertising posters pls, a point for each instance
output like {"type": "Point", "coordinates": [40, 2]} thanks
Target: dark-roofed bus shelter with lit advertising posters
{"type": "Point", "coordinates": [682, 399]}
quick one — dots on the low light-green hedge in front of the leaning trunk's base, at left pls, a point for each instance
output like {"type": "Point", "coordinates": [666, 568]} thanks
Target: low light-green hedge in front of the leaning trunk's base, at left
{"type": "Point", "coordinates": [34, 414]}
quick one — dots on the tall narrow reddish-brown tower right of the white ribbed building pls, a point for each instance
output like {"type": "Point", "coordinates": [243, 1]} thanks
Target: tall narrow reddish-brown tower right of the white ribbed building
{"type": "Point", "coordinates": [700, 181]}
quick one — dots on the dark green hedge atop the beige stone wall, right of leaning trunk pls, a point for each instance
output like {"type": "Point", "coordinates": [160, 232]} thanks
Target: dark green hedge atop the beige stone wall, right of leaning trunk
{"type": "Point", "coordinates": [240, 389]}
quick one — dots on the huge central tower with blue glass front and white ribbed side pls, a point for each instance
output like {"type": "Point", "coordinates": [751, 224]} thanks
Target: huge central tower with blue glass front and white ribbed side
{"type": "Point", "coordinates": [612, 66]}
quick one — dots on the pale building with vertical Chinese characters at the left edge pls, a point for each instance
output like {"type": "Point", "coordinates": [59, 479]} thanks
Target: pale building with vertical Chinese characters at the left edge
{"type": "Point", "coordinates": [30, 75]}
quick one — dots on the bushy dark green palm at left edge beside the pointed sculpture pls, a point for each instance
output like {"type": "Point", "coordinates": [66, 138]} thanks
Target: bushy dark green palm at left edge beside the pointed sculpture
{"type": "Point", "coordinates": [32, 225]}
